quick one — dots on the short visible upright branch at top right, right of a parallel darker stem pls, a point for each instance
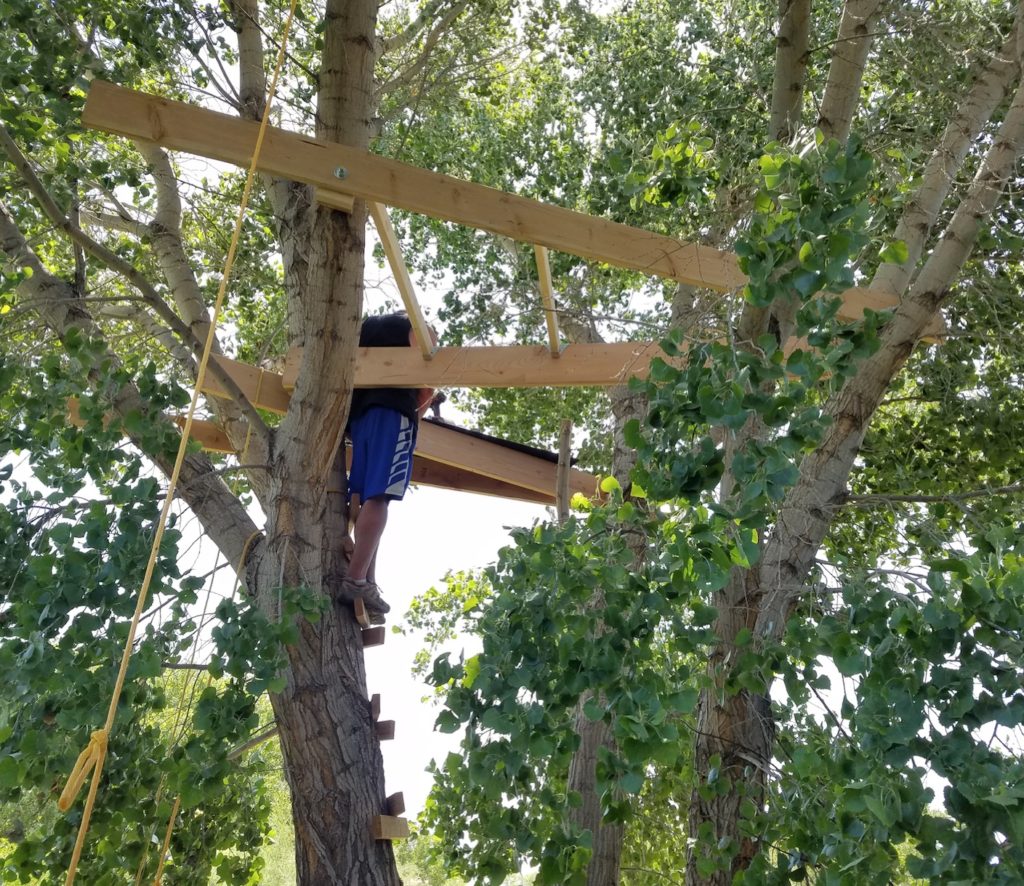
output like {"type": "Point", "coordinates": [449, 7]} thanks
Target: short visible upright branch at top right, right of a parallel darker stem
{"type": "Point", "coordinates": [847, 70]}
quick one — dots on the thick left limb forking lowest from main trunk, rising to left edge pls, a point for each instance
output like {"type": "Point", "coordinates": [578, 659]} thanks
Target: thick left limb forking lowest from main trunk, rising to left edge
{"type": "Point", "coordinates": [223, 516]}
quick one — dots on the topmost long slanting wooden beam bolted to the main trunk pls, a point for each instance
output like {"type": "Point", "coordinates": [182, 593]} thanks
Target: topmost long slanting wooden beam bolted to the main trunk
{"type": "Point", "coordinates": [335, 167]}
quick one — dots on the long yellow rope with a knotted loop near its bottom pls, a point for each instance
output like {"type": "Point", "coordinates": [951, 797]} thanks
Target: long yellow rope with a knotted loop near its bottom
{"type": "Point", "coordinates": [92, 761]}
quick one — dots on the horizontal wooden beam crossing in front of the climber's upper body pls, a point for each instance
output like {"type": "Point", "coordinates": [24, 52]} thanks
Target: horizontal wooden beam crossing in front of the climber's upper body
{"type": "Point", "coordinates": [499, 366]}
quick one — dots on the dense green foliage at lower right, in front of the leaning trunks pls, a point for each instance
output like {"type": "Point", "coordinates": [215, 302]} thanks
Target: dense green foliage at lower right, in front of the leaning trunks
{"type": "Point", "coordinates": [611, 614]}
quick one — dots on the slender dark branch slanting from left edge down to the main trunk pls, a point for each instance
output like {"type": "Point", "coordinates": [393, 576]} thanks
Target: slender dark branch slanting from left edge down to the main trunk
{"type": "Point", "coordinates": [138, 280]}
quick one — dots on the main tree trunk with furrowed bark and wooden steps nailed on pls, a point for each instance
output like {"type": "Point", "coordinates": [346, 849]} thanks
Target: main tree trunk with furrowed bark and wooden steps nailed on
{"type": "Point", "coordinates": [332, 756]}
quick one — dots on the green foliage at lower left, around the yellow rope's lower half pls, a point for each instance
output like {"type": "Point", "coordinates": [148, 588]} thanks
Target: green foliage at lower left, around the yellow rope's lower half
{"type": "Point", "coordinates": [76, 540]}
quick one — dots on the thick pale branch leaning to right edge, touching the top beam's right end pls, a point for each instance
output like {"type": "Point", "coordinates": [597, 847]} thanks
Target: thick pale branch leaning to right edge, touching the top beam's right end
{"type": "Point", "coordinates": [808, 511]}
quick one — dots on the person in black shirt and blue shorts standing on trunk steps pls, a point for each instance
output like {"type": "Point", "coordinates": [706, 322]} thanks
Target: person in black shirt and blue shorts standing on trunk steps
{"type": "Point", "coordinates": [382, 426]}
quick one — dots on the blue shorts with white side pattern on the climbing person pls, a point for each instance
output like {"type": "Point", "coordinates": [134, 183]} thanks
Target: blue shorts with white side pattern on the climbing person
{"type": "Point", "coordinates": [383, 441]}
